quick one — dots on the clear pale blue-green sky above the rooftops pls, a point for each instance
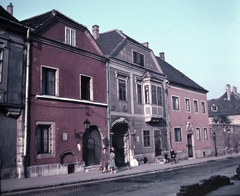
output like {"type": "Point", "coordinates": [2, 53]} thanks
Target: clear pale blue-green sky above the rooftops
{"type": "Point", "coordinates": [200, 38]}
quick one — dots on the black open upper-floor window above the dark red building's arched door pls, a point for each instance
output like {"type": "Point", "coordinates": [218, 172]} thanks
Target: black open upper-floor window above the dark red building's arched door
{"type": "Point", "coordinates": [86, 88]}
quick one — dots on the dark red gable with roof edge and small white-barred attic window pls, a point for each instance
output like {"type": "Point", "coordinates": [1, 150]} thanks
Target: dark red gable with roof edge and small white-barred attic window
{"type": "Point", "coordinates": [52, 25]}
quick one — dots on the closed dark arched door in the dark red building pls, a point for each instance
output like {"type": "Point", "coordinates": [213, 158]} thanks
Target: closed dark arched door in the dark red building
{"type": "Point", "coordinates": [92, 147]}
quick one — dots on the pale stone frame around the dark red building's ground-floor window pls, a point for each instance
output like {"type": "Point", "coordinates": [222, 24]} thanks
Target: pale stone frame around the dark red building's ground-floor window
{"type": "Point", "coordinates": [51, 152]}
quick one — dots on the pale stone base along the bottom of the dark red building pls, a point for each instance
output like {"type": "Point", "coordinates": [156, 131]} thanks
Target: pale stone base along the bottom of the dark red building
{"type": "Point", "coordinates": [54, 169]}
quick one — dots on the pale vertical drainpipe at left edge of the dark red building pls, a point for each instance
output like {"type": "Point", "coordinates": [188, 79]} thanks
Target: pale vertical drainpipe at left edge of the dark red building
{"type": "Point", "coordinates": [26, 102]}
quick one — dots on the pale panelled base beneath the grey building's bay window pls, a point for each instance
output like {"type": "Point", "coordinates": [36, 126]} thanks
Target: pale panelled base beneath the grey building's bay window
{"type": "Point", "coordinates": [153, 113]}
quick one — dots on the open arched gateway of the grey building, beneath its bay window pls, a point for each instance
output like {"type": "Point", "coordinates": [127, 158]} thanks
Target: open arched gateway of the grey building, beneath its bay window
{"type": "Point", "coordinates": [121, 142]}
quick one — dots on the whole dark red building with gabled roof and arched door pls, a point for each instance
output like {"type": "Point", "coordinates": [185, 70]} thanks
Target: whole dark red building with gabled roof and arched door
{"type": "Point", "coordinates": [66, 93]}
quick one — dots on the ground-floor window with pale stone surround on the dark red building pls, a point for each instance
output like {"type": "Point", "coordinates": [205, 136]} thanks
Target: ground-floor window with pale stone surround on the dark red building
{"type": "Point", "coordinates": [45, 138]}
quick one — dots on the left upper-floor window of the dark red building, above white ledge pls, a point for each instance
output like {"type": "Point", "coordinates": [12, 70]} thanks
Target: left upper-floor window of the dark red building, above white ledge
{"type": "Point", "coordinates": [49, 81]}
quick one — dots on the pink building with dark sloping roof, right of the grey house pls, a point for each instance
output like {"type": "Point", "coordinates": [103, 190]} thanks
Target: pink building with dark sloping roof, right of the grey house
{"type": "Point", "coordinates": [188, 114]}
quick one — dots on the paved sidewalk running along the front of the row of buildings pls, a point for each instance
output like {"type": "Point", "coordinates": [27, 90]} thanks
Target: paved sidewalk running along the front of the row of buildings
{"type": "Point", "coordinates": [9, 185]}
